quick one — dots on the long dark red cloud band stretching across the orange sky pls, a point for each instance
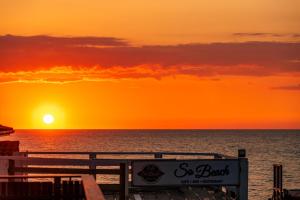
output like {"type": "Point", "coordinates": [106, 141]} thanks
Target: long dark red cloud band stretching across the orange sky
{"type": "Point", "coordinates": [60, 59]}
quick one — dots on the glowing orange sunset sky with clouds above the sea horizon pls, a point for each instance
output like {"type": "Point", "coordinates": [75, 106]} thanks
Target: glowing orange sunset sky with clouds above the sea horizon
{"type": "Point", "coordinates": [150, 64]}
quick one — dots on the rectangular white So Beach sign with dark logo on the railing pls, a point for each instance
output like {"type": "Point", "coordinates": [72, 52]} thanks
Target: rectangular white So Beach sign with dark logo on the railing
{"type": "Point", "coordinates": [185, 172]}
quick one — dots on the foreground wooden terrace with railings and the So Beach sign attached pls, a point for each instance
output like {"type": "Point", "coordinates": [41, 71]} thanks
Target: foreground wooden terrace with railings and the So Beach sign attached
{"type": "Point", "coordinates": [132, 175]}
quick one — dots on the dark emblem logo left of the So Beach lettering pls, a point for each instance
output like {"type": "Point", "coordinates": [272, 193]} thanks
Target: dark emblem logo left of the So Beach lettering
{"type": "Point", "coordinates": [151, 173]}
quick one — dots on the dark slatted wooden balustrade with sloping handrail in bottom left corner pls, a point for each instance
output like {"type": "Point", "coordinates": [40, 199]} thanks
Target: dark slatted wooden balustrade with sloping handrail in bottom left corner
{"type": "Point", "coordinates": [61, 187]}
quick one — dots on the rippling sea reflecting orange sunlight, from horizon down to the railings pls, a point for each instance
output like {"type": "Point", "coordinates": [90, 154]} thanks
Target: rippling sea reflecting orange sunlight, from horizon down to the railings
{"type": "Point", "coordinates": [264, 147]}
